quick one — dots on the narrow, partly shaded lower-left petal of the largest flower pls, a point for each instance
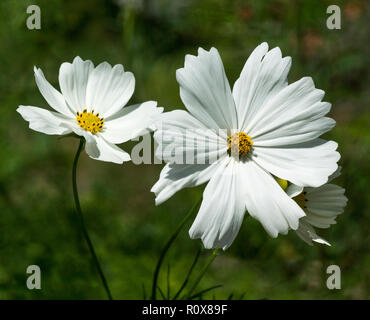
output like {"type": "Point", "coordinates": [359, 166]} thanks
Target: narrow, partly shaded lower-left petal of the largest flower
{"type": "Point", "coordinates": [175, 177]}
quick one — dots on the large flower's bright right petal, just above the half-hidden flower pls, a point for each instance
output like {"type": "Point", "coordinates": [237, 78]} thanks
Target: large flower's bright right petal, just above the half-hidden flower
{"type": "Point", "coordinates": [305, 164]}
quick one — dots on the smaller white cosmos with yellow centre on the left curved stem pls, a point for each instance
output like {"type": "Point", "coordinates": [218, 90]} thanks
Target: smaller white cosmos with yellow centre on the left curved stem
{"type": "Point", "coordinates": [91, 105]}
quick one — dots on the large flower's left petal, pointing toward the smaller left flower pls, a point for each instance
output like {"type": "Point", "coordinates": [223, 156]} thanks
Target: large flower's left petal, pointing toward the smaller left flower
{"type": "Point", "coordinates": [184, 139]}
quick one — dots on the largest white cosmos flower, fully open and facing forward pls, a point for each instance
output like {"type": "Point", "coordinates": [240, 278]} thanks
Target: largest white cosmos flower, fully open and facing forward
{"type": "Point", "coordinates": [278, 126]}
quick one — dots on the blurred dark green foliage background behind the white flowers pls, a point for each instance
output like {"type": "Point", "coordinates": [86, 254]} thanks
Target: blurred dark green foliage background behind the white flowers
{"type": "Point", "coordinates": [150, 38]}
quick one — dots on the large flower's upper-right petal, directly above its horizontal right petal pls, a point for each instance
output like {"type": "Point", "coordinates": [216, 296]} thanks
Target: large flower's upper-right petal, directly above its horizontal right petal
{"type": "Point", "coordinates": [294, 115]}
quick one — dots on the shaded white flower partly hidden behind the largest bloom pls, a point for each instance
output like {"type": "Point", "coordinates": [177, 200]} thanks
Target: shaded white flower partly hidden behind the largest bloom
{"type": "Point", "coordinates": [322, 205]}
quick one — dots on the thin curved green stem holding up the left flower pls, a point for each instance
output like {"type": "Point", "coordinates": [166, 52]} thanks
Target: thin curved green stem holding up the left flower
{"type": "Point", "coordinates": [82, 221]}
